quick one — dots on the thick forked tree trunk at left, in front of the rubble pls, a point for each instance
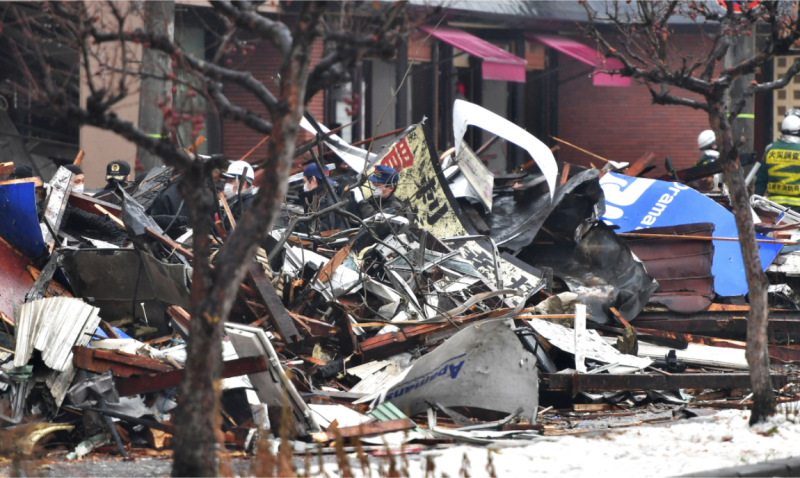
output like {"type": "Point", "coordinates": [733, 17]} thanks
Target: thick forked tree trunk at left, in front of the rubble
{"type": "Point", "coordinates": [213, 293]}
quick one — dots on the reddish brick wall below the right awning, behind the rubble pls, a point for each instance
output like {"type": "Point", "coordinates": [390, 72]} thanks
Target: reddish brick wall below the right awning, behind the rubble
{"type": "Point", "coordinates": [622, 124]}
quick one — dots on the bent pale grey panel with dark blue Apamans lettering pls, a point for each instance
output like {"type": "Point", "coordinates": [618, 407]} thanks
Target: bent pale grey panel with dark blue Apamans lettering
{"type": "Point", "coordinates": [484, 365]}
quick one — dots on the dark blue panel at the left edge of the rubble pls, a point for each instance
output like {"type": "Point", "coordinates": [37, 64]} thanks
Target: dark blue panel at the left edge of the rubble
{"type": "Point", "coordinates": [19, 223]}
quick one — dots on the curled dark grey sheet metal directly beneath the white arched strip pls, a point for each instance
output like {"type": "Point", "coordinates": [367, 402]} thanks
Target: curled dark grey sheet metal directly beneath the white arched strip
{"type": "Point", "coordinates": [514, 224]}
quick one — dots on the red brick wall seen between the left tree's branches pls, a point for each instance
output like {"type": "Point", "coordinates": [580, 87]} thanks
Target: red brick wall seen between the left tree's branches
{"type": "Point", "coordinates": [264, 63]}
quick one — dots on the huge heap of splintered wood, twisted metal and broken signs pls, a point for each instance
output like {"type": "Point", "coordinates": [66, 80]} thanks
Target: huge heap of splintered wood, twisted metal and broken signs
{"type": "Point", "coordinates": [493, 308]}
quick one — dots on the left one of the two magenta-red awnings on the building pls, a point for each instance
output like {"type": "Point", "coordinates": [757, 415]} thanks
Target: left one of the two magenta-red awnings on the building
{"type": "Point", "coordinates": [498, 64]}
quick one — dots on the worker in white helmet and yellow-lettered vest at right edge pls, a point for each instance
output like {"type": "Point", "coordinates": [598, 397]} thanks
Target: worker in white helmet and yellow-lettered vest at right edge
{"type": "Point", "coordinates": [779, 175]}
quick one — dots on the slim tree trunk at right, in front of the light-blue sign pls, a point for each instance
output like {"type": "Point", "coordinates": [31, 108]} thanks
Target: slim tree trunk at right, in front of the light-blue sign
{"type": "Point", "coordinates": [756, 352]}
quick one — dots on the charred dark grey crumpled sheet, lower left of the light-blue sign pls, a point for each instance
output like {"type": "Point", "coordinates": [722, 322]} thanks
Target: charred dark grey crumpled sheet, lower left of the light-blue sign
{"type": "Point", "coordinates": [600, 269]}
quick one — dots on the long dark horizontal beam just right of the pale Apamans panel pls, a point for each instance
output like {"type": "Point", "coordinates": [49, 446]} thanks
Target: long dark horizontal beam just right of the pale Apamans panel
{"type": "Point", "coordinates": [601, 382]}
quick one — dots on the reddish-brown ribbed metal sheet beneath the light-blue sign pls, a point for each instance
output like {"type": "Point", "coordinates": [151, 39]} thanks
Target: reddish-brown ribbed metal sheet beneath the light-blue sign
{"type": "Point", "coordinates": [682, 267]}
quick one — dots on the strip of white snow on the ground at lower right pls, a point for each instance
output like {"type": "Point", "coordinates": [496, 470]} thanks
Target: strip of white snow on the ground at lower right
{"type": "Point", "coordinates": [682, 447]}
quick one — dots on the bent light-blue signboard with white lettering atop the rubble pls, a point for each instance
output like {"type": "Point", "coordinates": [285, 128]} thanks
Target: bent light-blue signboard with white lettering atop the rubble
{"type": "Point", "coordinates": [640, 203]}
